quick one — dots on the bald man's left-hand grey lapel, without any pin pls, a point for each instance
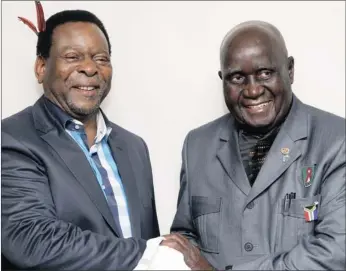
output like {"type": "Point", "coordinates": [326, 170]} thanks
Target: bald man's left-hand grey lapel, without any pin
{"type": "Point", "coordinates": [229, 157]}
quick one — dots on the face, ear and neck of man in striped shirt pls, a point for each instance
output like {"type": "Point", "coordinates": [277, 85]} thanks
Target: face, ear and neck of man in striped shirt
{"type": "Point", "coordinates": [77, 74]}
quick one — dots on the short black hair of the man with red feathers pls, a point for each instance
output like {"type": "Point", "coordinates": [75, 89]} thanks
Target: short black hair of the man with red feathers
{"type": "Point", "coordinates": [44, 42]}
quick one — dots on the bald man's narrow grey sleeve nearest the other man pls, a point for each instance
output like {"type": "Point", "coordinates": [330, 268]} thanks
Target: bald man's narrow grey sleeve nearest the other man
{"type": "Point", "coordinates": [182, 222]}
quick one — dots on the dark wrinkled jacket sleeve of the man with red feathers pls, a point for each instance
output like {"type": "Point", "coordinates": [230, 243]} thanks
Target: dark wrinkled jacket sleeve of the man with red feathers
{"type": "Point", "coordinates": [34, 237]}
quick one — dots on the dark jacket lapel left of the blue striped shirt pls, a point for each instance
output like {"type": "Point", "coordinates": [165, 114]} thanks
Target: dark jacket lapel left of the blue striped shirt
{"type": "Point", "coordinates": [74, 159]}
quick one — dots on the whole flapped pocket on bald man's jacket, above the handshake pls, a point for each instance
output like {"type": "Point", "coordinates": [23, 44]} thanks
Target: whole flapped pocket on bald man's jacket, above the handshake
{"type": "Point", "coordinates": [207, 219]}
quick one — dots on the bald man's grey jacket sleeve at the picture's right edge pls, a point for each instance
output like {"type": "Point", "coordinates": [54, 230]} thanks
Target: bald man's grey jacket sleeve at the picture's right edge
{"type": "Point", "coordinates": [325, 250]}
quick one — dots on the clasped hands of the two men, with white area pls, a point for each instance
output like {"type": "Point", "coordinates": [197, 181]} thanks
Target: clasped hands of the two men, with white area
{"type": "Point", "coordinates": [172, 252]}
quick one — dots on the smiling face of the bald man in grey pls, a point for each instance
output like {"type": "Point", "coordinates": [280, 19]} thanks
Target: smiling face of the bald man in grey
{"type": "Point", "coordinates": [257, 78]}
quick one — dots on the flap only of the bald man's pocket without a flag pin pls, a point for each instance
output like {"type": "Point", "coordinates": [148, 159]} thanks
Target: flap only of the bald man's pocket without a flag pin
{"type": "Point", "coordinates": [205, 205]}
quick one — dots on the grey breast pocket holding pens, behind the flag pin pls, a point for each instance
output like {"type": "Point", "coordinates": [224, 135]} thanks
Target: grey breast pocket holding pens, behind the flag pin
{"type": "Point", "coordinates": [291, 222]}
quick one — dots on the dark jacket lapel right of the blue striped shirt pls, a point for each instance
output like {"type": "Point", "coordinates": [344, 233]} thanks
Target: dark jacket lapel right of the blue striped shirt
{"type": "Point", "coordinates": [120, 155]}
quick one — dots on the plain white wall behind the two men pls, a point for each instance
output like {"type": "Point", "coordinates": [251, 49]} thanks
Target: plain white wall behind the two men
{"type": "Point", "coordinates": [166, 58]}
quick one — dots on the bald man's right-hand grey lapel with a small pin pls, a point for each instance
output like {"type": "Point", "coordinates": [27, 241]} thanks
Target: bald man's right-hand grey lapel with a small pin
{"type": "Point", "coordinates": [294, 128]}
